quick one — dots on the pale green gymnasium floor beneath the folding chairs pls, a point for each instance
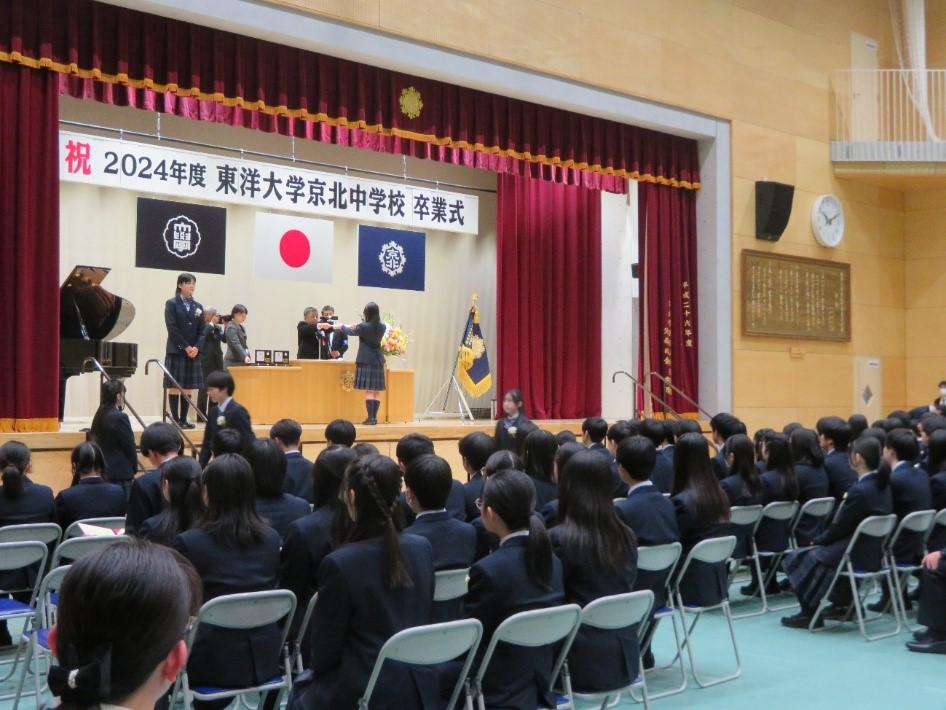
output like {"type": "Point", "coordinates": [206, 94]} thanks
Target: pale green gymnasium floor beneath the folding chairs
{"type": "Point", "coordinates": [787, 668]}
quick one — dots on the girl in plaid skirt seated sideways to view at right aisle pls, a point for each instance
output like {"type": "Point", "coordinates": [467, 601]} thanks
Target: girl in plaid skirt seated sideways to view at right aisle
{"type": "Point", "coordinates": [810, 570]}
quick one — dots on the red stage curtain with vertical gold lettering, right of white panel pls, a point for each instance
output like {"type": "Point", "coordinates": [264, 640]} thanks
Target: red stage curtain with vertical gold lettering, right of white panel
{"type": "Point", "coordinates": [667, 238]}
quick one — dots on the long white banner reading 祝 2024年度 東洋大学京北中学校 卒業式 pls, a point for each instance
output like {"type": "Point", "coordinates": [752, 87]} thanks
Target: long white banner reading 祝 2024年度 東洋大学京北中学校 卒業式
{"type": "Point", "coordinates": [160, 170]}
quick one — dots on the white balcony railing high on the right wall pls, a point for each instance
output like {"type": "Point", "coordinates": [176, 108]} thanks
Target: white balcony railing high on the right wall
{"type": "Point", "coordinates": [889, 115]}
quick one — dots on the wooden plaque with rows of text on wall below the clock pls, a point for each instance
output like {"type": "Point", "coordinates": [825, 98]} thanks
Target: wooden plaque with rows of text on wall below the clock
{"type": "Point", "coordinates": [795, 297]}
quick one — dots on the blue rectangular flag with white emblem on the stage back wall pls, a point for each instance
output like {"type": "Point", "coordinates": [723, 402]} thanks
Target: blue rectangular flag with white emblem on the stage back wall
{"type": "Point", "coordinates": [391, 258]}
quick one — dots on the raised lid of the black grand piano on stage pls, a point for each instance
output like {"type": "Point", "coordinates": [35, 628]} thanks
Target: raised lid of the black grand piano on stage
{"type": "Point", "coordinates": [88, 311]}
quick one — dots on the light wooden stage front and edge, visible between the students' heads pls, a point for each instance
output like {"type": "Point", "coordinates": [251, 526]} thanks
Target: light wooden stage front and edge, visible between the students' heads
{"type": "Point", "coordinates": [51, 450]}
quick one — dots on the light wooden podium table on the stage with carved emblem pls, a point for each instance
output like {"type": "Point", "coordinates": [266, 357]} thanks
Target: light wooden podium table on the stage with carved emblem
{"type": "Point", "coordinates": [318, 391]}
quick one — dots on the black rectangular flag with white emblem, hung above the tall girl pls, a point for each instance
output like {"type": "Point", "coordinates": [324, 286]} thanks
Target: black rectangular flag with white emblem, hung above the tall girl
{"type": "Point", "coordinates": [178, 236]}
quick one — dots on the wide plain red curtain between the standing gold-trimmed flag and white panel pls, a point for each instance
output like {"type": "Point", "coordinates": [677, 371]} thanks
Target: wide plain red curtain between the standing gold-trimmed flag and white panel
{"type": "Point", "coordinates": [548, 296]}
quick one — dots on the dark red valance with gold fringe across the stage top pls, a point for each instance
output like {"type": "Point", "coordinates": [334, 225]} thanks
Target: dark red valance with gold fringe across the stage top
{"type": "Point", "coordinates": [132, 58]}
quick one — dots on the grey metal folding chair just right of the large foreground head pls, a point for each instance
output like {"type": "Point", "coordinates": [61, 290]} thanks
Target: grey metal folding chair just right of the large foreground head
{"type": "Point", "coordinates": [241, 611]}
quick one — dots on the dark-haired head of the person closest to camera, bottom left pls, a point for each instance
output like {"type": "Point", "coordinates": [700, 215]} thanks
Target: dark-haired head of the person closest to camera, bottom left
{"type": "Point", "coordinates": [122, 615]}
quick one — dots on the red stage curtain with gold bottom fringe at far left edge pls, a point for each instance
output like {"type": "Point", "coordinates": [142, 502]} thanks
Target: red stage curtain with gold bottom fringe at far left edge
{"type": "Point", "coordinates": [29, 249]}
